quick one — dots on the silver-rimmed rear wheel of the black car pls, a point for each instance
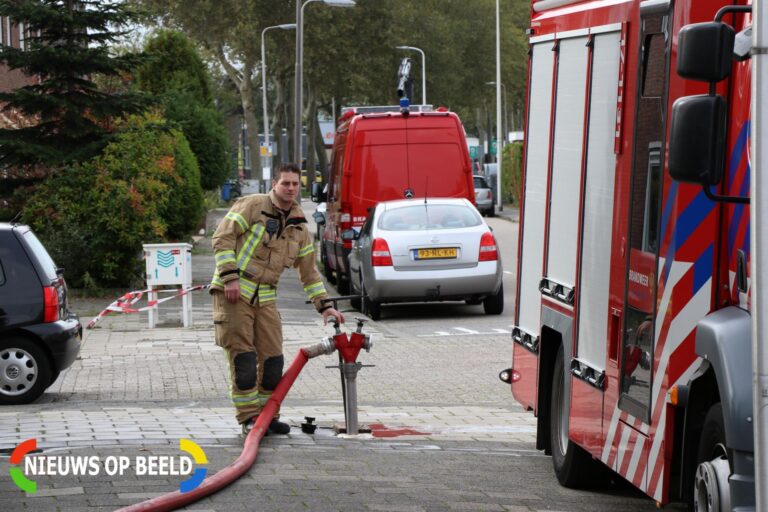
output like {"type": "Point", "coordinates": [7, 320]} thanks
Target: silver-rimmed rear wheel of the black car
{"type": "Point", "coordinates": [25, 371]}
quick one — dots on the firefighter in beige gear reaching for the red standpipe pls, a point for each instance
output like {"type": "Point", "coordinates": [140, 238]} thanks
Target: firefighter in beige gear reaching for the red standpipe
{"type": "Point", "coordinates": [261, 235]}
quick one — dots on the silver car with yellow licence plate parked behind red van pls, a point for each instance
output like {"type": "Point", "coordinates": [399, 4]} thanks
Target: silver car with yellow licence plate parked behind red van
{"type": "Point", "coordinates": [424, 250]}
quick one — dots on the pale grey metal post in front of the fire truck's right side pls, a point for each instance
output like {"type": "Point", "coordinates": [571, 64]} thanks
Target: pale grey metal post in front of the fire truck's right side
{"type": "Point", "coordinates": [759, 237]}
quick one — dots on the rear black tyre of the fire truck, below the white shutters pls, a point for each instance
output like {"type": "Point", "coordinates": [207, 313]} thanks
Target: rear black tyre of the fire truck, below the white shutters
{"type": "Point", "coordinates": [573, 466]}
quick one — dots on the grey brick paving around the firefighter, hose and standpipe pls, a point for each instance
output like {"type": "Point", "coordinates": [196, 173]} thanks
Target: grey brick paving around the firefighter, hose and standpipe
{"type": "Point", "coordinates": [447, 435]}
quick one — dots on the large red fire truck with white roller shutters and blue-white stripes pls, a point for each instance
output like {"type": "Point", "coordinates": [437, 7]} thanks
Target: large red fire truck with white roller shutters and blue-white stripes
{"type": "Point", "coordinates": [632, 335]}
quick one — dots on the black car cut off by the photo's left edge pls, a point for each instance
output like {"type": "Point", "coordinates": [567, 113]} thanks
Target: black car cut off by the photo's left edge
{"type": "Point", "coordinates": [39, 337]}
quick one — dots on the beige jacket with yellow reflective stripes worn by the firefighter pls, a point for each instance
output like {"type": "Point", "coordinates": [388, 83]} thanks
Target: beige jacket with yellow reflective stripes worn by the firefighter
{"type": "Point", "coordinates": [255, 242]}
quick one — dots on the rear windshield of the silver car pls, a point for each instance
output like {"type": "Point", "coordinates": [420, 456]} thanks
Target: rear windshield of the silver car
{"type": "Point", "coordinates": [442, 216]}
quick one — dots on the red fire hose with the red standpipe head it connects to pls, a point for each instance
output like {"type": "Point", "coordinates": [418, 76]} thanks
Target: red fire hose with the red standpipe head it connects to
{"type": "Point", "coordinates": [349, 348]}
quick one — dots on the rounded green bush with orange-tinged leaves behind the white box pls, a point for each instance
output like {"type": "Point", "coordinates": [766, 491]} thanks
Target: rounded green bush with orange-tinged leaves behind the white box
{"type": "Point", "coordinates": [94, 217]}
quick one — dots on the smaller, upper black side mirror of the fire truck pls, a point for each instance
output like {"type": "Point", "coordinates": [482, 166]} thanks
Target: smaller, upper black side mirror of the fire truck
{"type": "Point", "coordinates": [705, 51]}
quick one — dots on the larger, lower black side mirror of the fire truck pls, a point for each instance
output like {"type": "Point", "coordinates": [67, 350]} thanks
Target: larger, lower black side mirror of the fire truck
{"type": "Point", "coordinates": [697, 139]}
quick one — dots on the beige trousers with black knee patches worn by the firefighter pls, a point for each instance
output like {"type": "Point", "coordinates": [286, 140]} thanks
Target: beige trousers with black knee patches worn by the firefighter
{"type": "Point", "coordinates": [252, 339]}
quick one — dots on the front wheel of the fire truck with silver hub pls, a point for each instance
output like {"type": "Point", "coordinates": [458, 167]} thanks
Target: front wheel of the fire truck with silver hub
{"type": "Point", "coordinates": [711, 488]}
